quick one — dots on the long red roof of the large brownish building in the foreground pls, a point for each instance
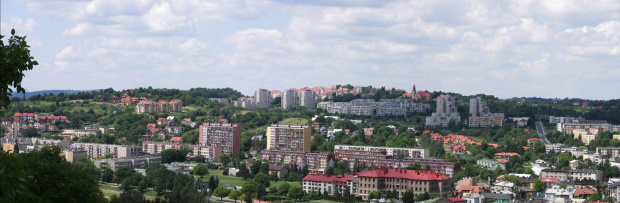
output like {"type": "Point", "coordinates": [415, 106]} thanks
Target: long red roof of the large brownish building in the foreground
{"type": "Point", "coordinates": [404, 174]}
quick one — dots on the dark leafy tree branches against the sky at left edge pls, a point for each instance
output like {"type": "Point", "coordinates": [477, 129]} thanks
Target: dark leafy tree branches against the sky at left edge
{"type": "Point", "coordinates": [14, 59]}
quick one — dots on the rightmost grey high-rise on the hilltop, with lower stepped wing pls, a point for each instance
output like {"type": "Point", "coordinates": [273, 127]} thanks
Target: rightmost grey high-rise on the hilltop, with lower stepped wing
{"type": "Point", "coordinates": [480, 116]}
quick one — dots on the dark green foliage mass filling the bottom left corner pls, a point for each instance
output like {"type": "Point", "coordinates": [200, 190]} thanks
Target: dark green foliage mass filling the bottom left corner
{"type": "Point", "coordinates": [47, 177]}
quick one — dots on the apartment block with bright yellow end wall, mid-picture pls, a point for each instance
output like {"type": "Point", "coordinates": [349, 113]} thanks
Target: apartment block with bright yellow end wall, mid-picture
{"type": "Point", "coordinates": [289, 137]}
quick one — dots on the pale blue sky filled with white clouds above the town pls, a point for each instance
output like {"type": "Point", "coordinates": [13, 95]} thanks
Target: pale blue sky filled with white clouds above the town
{"type": "Point", "coordinates": [532, 48]}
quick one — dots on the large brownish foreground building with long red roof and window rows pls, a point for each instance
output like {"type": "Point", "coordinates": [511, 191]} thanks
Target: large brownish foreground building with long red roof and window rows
{"type": "Point", "coordinates": [388, 179]}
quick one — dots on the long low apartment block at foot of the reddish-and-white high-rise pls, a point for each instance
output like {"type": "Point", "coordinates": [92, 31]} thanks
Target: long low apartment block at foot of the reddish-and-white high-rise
{"type": "Point", "coordinates": [211, 153]}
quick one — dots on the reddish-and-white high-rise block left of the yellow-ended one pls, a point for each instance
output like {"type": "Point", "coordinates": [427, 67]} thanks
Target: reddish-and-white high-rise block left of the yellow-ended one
{"type": "Point", "coordinates": [224, 135]}
